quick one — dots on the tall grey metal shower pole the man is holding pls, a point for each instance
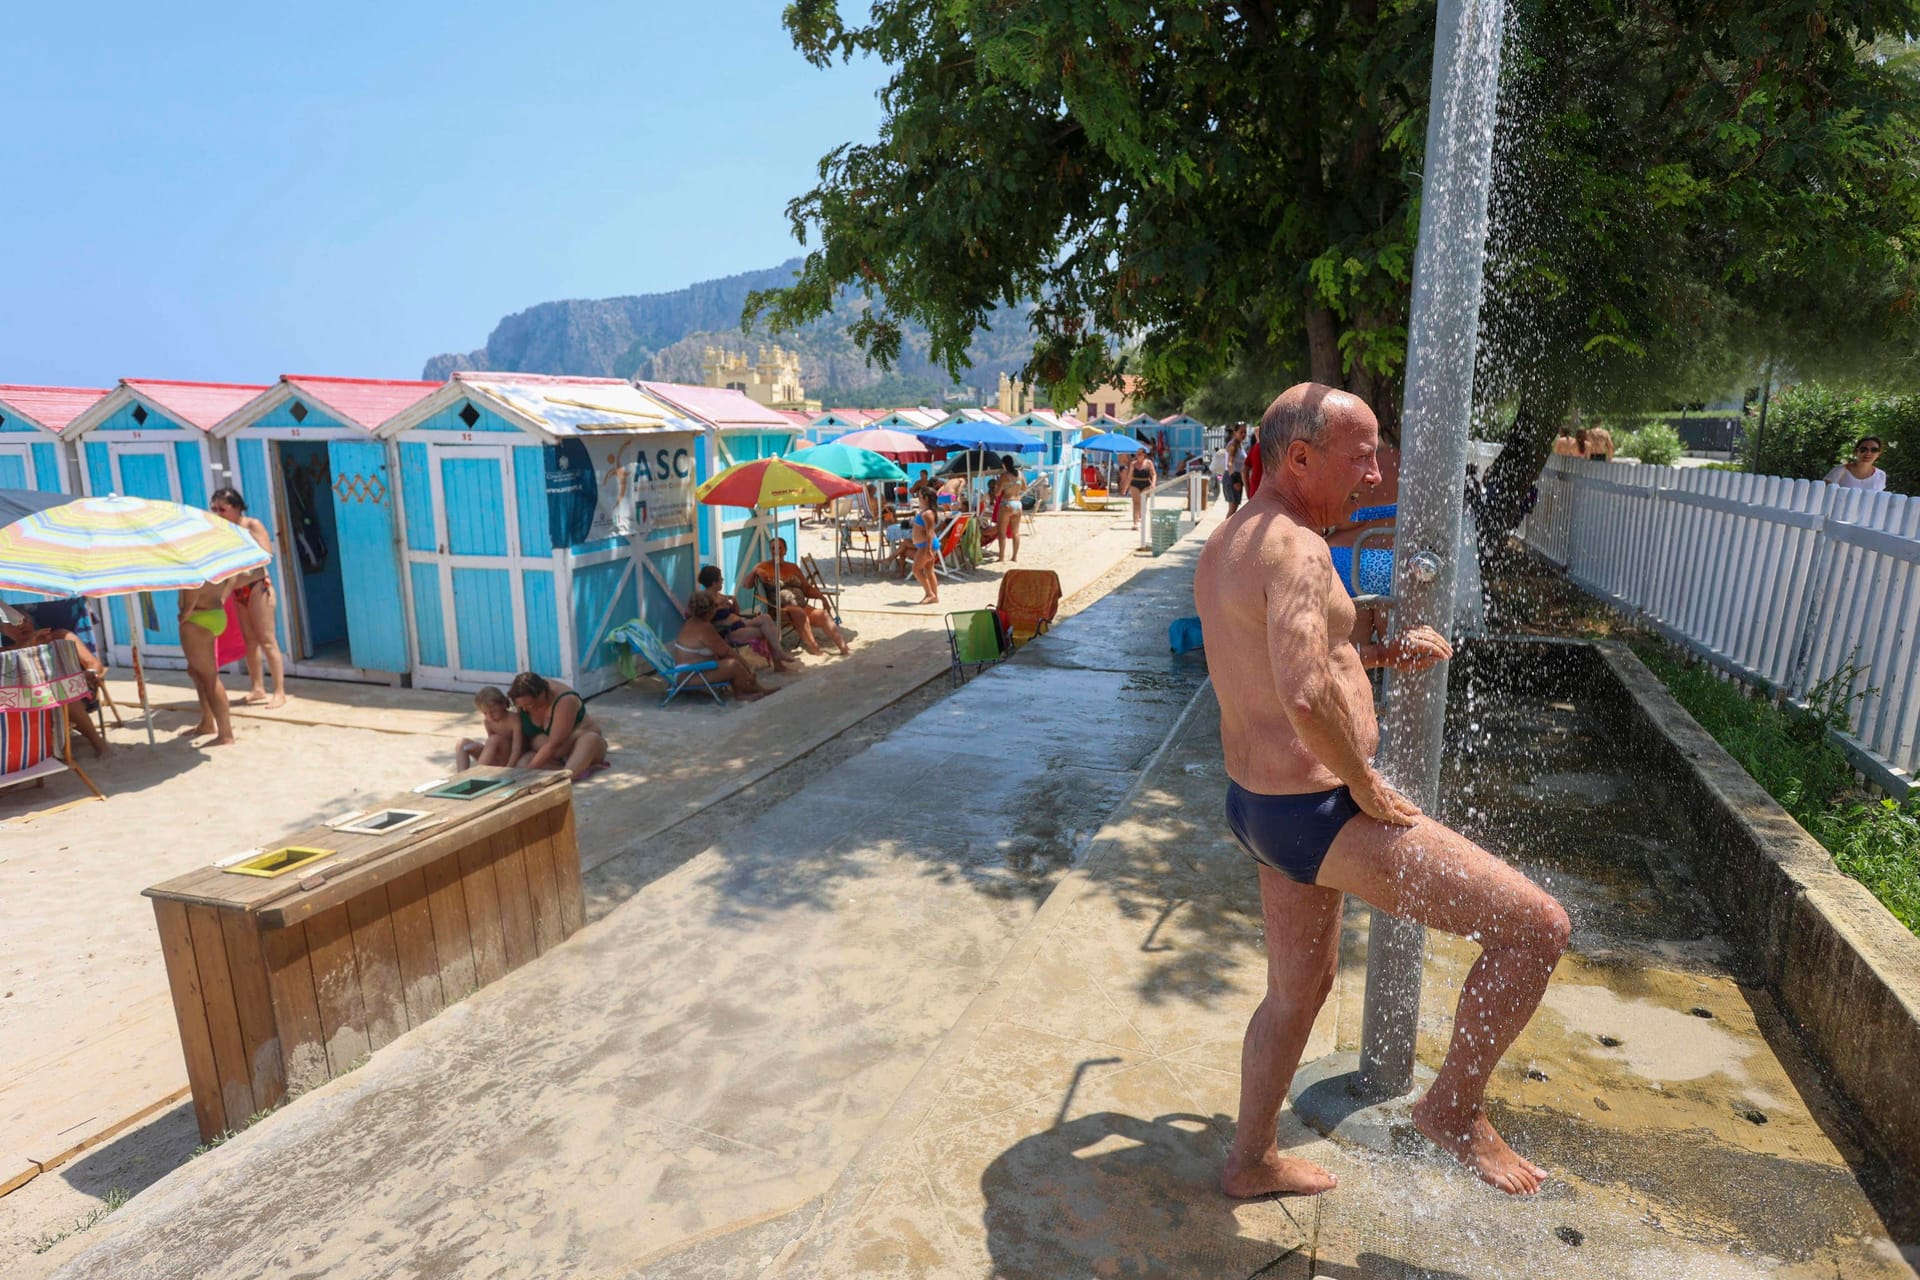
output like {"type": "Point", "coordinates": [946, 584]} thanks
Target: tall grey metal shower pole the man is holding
{"type": "Point", "coordinates": [1443, 341]}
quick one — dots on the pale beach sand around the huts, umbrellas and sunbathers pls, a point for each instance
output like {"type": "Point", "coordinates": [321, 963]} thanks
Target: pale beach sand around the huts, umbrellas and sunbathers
{"type": "Point", "coordinates": [89, 1045]}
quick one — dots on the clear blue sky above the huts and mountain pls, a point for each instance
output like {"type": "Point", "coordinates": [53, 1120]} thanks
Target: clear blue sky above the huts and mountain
{"type": "Point", "coordinates": [233, 193]}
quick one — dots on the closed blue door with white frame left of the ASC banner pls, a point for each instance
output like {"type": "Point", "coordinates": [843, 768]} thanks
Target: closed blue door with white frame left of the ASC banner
{"type": "Point", "coordinates": [468, 594]}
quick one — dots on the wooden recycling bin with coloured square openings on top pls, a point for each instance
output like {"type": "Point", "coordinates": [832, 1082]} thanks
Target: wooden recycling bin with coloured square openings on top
{"type": "Point", "coordinates": [293, 964]}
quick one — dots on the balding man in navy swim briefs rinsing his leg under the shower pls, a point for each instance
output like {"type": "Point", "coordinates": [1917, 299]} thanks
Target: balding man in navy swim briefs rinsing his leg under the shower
{"type": "Point", "coordinates": [1307, 803]}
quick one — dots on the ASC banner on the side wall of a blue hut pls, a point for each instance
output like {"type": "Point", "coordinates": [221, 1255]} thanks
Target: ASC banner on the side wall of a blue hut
{"type": "Point", "coordinates": [619, 486]}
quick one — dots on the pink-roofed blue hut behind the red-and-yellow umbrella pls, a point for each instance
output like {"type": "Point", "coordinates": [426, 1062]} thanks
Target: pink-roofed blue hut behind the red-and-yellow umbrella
{"type": "Point", "coordinates": [738, 431]}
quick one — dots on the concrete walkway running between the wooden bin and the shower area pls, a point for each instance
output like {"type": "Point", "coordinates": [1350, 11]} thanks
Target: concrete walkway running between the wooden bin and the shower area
{"type": "Point", "coordinates": [690, 1076]}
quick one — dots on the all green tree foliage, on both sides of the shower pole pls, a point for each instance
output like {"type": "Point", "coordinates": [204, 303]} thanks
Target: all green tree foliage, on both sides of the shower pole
{"type": "Point", "coordinates": [1234, 193]}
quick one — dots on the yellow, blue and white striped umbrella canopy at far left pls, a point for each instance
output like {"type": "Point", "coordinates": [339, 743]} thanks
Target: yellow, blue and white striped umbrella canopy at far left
{"type": "Point", "coordinates": [118, 546]}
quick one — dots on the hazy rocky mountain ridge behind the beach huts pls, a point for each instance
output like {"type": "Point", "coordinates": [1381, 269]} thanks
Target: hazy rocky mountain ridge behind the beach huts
{"type": "Point", "coordinates": [667, 335]}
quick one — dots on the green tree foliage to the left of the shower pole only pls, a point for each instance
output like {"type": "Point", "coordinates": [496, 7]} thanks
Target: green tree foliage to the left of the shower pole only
{"type": "Point", "coordinates": [1197, 179]}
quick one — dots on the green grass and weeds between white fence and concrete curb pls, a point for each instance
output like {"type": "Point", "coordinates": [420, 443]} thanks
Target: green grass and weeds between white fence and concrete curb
{"type": "Point", "coordinates": [1792, 757]}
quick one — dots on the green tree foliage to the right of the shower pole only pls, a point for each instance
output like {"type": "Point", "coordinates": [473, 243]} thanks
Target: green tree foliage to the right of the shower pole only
{"type": "Point", "coordinates": [1694, 189]}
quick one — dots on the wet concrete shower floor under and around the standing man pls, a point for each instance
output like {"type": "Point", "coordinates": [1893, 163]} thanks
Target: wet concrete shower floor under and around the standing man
{"type": "Point", "coordinates": [1076, 1120]}
